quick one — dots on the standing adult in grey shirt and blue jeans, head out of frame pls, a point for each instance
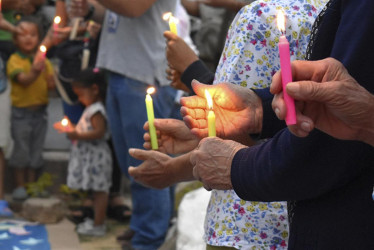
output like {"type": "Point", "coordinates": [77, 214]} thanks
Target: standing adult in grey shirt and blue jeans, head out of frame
{"type": "Point", "coordinates": [132, 50]}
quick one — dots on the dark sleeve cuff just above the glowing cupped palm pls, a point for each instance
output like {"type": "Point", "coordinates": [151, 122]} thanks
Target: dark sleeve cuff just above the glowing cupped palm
{"type": "Point", "coordinates": [198, 71]}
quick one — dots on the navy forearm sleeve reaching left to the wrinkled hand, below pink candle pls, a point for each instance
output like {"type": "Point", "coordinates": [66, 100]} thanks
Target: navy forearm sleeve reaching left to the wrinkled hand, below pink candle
{"type": "Point", "coordinates": [291, 168]}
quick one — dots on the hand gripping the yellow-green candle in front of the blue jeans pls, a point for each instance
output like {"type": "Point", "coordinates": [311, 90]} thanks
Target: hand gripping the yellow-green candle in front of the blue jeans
{"type": "Point", "coordinates": [173, 136]}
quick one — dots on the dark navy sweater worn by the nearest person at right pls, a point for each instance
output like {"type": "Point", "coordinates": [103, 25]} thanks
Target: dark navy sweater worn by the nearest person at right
{"type": "Point", "coordinates": [331, 180]}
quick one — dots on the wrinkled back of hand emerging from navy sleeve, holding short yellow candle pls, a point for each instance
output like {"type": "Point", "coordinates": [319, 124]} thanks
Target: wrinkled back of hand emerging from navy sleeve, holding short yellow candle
{"type": "Point", "coordinates": [212, 162]}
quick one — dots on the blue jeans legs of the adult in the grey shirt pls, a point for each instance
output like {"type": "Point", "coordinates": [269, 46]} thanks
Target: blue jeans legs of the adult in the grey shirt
{"type": "Point", "coordinates": [151, 208]}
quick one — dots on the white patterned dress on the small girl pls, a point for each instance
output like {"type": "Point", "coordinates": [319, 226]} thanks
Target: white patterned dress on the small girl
{"type": "Point", "coordinates": [90, 165]}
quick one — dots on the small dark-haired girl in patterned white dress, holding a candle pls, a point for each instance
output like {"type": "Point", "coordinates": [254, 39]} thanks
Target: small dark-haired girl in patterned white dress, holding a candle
{"type": "Point", "coordinates": [90, 165]}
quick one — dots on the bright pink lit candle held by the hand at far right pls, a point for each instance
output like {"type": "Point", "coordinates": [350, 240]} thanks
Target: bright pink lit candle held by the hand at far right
{"type": "Point", "coordinates": [285, 63]}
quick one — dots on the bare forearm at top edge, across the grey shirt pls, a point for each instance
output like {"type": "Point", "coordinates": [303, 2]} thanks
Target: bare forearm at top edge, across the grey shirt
{"type": "Point", "coordinates": [128, 8]}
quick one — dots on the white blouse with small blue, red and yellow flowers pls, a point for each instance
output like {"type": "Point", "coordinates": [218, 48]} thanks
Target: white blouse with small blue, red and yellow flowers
{"type": "Point", "coordinates": [250, 59]}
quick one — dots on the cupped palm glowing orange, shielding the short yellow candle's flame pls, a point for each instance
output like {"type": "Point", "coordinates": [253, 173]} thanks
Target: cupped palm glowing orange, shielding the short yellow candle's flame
{"type": "Point", "coordinates": [238, 111]}
